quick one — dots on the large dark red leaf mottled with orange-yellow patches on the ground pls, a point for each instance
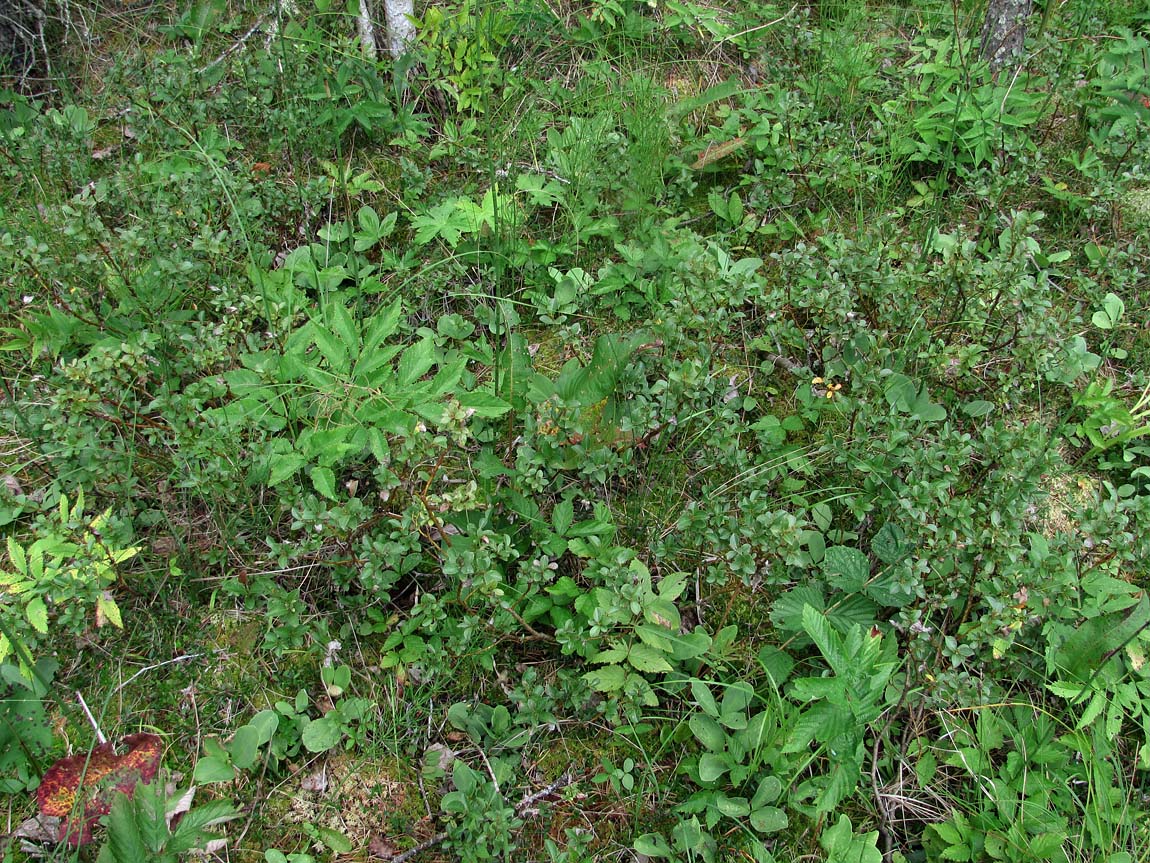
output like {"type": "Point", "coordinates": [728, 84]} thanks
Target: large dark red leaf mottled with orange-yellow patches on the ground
{"type": "Point", "coordinates": [93, 780]}
